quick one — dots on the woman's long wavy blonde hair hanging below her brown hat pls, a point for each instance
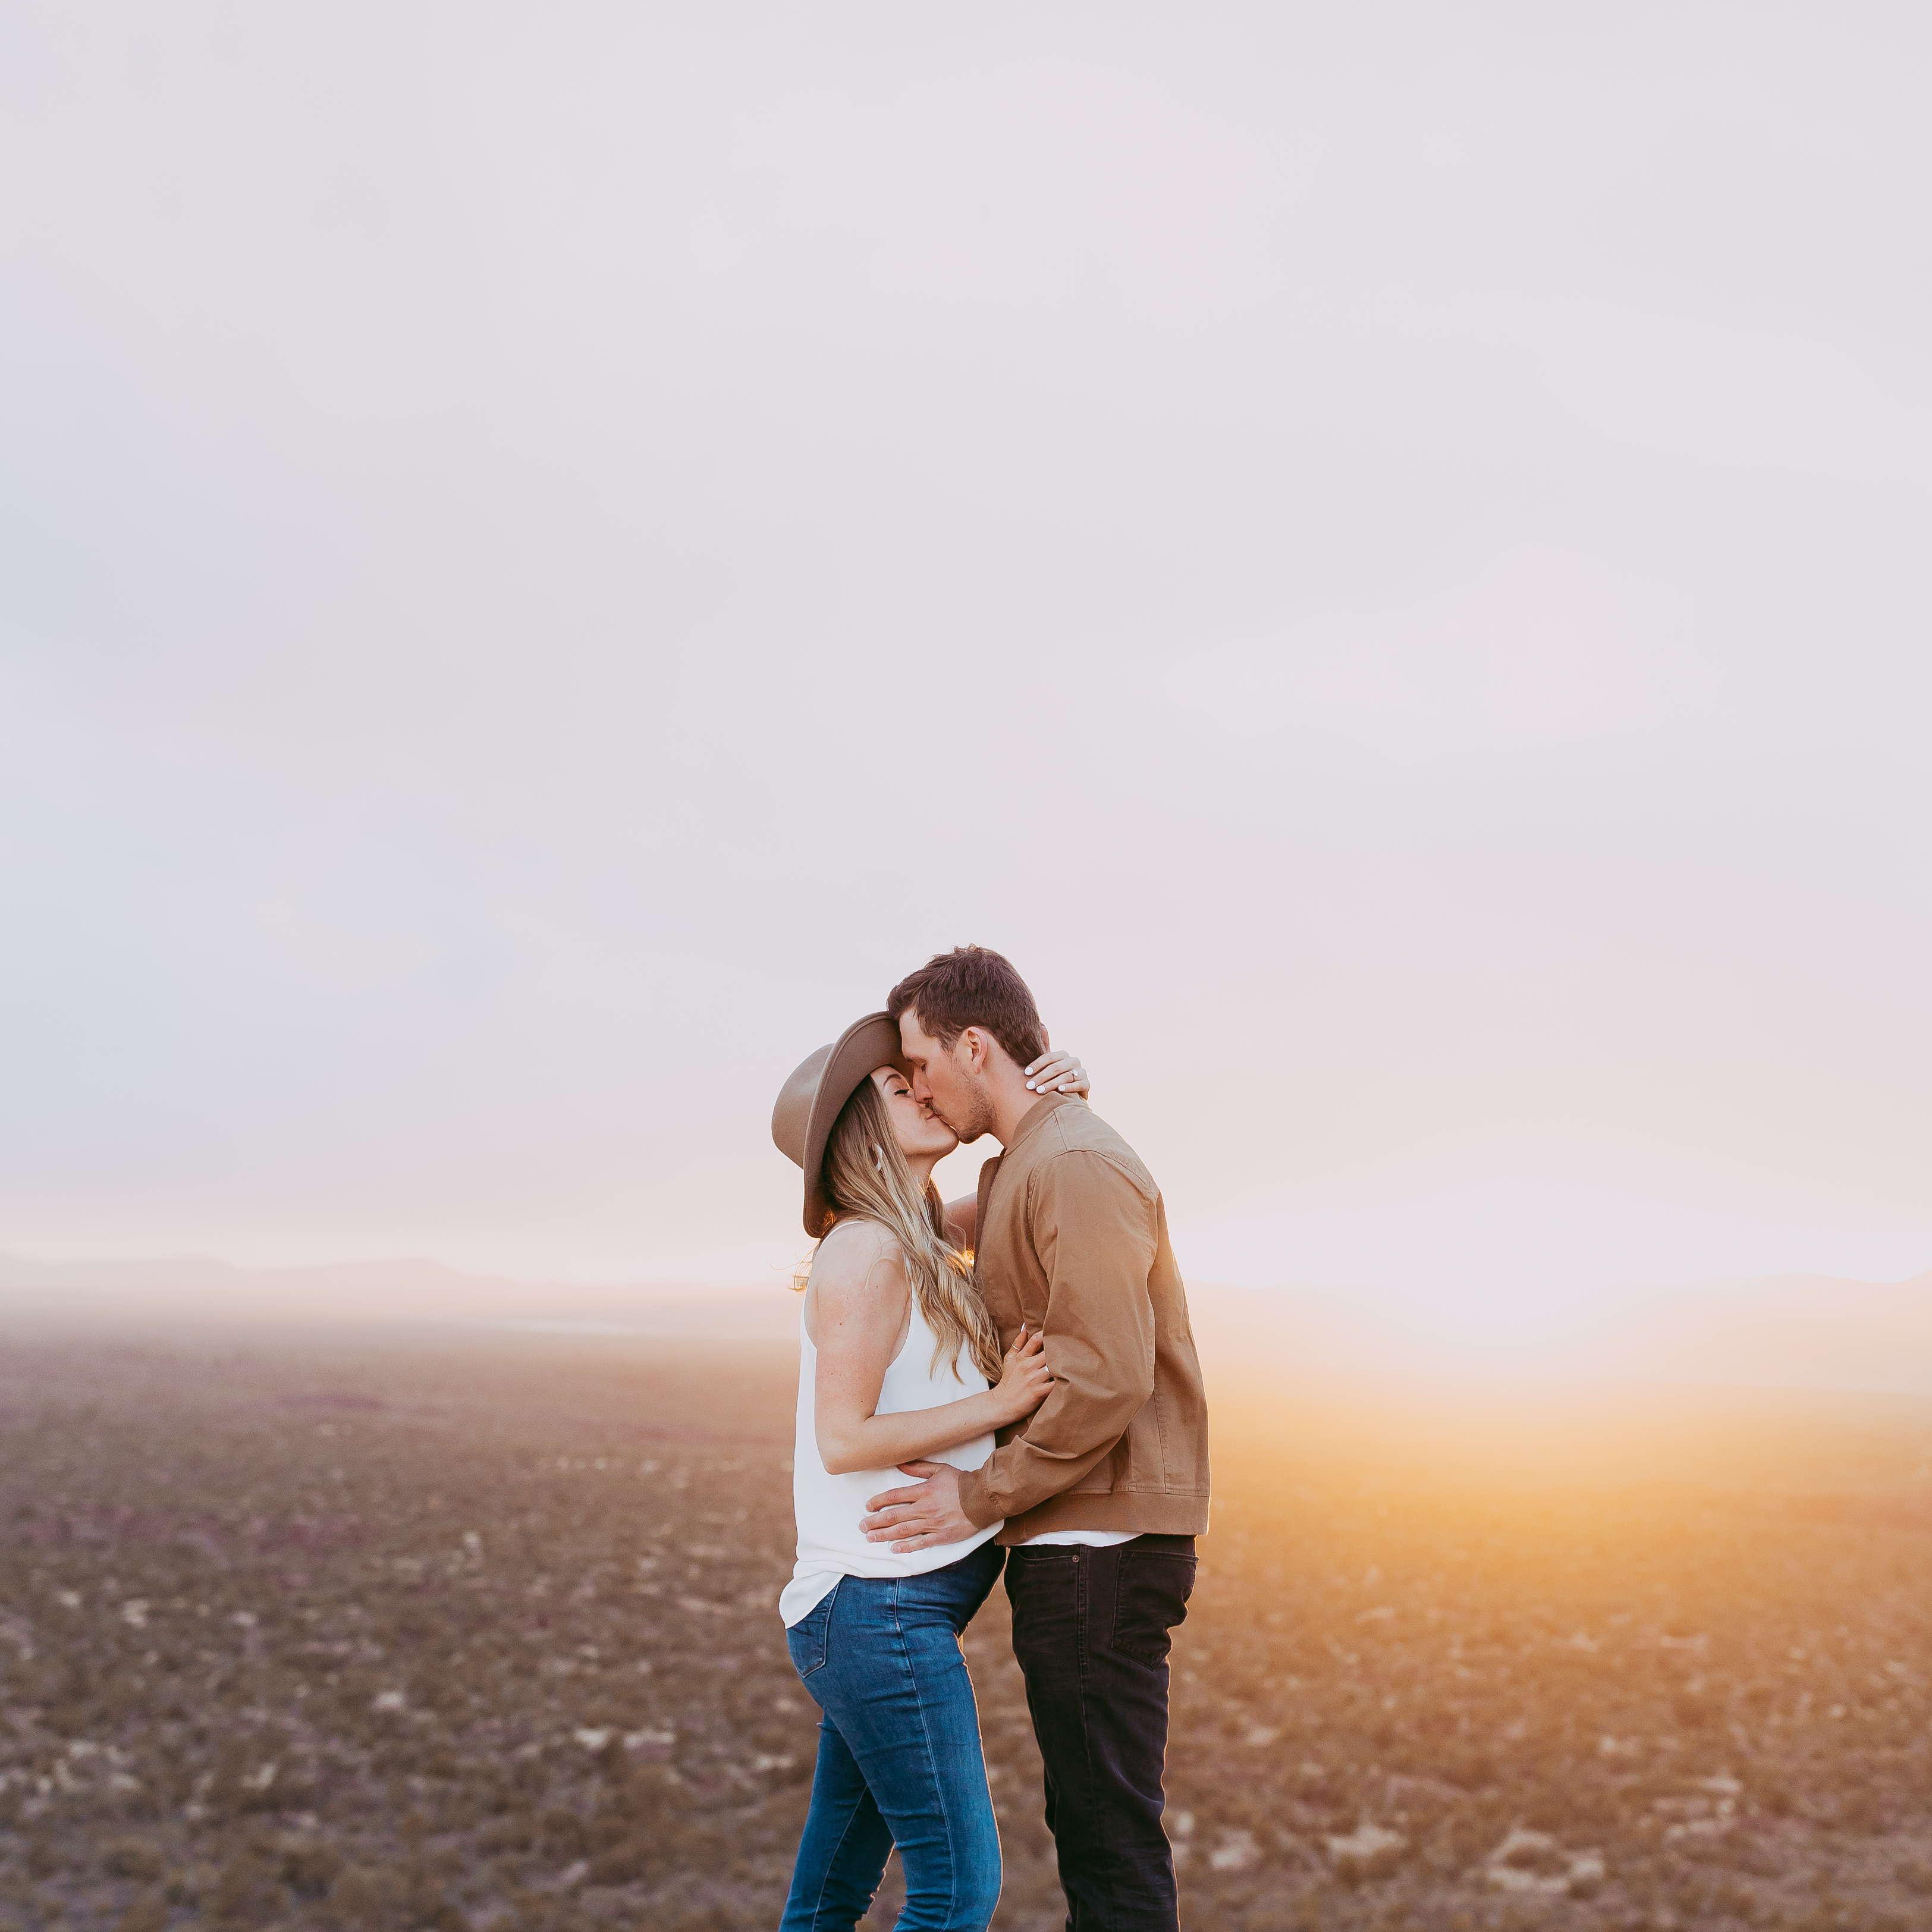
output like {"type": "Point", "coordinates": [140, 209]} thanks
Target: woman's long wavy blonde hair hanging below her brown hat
{"type": "Point", "coordinates": [868, 1179]}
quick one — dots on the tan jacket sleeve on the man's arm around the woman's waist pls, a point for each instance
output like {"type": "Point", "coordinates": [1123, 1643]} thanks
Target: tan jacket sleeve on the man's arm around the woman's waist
{"type": "Point", "coordinates": [1093, 1230]}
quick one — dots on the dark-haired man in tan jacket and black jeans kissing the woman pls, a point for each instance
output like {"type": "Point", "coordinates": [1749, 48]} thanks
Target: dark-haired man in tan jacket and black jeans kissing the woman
{"type": "Point", "coordinates": [1104, 1489]}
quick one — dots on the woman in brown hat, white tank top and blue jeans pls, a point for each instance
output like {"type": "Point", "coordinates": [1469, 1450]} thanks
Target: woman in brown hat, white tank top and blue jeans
{"type": "Point", "coordinates": [899, 1363]}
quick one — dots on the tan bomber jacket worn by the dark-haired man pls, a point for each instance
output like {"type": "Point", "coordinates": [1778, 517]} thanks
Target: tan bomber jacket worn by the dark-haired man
{"type": "Point", "coordinates": [1073, 1239]}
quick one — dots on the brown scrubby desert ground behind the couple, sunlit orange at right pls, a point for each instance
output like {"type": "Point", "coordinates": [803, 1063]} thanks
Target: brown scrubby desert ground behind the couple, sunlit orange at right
{"type": "Point", "coordinates": [445, 1632]}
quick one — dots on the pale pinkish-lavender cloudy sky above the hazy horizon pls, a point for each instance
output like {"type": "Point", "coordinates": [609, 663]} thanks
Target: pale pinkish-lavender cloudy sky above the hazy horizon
{"type": "Point", "coordinates": [1377, 552]}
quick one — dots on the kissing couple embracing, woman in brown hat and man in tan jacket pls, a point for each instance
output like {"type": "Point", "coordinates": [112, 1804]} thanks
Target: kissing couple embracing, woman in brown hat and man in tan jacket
{"type": "Point", "coordinates": [1027, 1357]}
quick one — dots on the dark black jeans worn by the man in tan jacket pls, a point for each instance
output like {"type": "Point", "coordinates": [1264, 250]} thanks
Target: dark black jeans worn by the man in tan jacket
{"type": "Point", "coordinates": [1093, 1630]}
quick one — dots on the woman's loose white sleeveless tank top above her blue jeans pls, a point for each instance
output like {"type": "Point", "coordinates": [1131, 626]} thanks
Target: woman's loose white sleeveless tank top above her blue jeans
{"type": "Point", "coordinates": [830, 1541]}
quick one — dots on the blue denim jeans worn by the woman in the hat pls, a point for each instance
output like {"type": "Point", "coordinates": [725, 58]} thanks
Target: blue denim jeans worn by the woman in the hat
{"type": "Point", "coordinates": [899, 1753]}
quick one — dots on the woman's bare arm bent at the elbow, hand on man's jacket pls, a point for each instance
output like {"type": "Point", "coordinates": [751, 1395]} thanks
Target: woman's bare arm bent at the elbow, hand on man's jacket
{"type": "Point", "coordinates": [861, 1301]}
